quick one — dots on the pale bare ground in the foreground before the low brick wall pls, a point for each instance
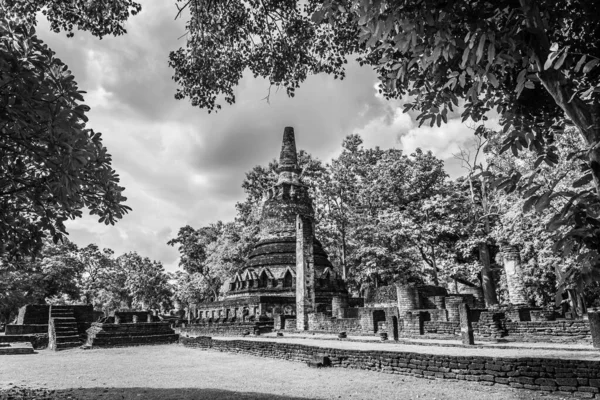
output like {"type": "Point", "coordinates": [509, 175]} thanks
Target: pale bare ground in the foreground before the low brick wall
{"type": "Point", "coordinates": [175, 372]}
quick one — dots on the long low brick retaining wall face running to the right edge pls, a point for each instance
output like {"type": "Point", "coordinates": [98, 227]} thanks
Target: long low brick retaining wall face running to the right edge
{"type": "Point", "coordinates": [524, 373]}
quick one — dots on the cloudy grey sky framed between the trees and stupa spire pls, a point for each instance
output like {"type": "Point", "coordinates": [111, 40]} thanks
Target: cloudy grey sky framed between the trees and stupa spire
{"type": "Point", "coordinates": [182, 166]}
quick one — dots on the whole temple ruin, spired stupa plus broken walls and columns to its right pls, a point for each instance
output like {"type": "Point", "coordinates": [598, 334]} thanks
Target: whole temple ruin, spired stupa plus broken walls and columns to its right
{"type": "Point", "coordinates": [288, 284]}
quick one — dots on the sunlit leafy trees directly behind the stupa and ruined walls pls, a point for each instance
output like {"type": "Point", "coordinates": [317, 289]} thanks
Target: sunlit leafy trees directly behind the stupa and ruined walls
{"type": "Point", "coordinates": [386, 216]}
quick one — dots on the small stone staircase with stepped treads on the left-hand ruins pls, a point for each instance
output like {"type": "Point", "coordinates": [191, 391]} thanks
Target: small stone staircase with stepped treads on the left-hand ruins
{"type": "Point", "coordinates": [62, 329]}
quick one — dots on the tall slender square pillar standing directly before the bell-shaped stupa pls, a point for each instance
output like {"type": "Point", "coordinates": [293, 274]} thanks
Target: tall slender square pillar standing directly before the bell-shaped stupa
{"type": "Point", "coordinates": [305, 271]}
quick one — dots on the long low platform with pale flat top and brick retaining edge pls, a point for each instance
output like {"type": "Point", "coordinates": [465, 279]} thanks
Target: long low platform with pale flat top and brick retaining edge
{"type": "Point", "coordinates": [569, 370]}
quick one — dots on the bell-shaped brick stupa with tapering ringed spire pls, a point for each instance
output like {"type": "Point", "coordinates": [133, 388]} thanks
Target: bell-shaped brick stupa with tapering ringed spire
{"type": "Point", "coordinates": [288, 275]}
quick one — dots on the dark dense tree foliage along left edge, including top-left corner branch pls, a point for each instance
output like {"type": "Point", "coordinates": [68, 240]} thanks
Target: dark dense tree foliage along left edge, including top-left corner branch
{"type": "Point", "coordinates": [51, 165]}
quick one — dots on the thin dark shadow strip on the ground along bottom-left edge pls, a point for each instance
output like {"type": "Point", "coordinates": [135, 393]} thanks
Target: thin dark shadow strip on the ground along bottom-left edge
{"type": "Point", "coordinates": [22, 393]}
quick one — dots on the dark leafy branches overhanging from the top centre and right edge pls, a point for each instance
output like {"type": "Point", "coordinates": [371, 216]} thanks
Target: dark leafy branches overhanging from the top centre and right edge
{"type": "Point", "coordinates": [535, 62]}
